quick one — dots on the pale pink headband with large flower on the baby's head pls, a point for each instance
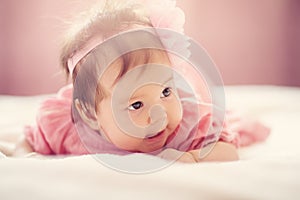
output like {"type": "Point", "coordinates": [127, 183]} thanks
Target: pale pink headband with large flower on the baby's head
{"type": "Point", "coordinates": [162, 14]}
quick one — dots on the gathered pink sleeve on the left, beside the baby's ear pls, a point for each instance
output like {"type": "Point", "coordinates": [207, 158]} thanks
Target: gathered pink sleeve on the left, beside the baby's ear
{"type": "Point", "coordinates": [54, 132]}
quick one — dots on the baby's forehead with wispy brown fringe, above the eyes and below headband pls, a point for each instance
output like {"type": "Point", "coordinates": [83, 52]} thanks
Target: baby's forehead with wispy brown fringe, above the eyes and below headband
{"type": "Point", "coordinates": [152, 64]}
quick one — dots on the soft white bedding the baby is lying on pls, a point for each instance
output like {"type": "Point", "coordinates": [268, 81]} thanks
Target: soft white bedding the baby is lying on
{"type": "Point", "coordinates": [269, 170]}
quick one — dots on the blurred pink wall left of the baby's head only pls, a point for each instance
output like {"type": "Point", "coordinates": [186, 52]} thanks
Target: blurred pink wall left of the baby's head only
{"type": "Point", "coordinates": [31, 33]}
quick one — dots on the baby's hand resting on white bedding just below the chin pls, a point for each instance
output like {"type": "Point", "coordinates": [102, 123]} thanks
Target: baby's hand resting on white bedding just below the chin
{"type": "Point", "coordinates": [173, 154]}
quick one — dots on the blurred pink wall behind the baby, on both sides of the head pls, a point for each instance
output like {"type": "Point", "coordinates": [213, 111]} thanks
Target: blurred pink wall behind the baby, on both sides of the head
{"type": "Point", "coordinates": [251, 41]}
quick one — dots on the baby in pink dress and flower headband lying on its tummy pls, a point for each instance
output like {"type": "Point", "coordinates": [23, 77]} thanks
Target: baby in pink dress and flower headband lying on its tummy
{"type": "Point", "coordinates": [125, 96]}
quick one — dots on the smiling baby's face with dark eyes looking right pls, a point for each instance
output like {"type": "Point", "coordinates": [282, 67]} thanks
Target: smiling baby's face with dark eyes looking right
{"type": "Point", "coordinates": [161, 95]}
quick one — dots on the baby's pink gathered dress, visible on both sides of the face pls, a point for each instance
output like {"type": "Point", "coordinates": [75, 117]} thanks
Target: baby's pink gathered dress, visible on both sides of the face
{"type": "Point", "coordinates": [55, 133]}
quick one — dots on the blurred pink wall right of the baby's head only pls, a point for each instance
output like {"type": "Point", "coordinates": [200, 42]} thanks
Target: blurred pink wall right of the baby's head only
{"type": "Point", "coordinates": [252, 42]}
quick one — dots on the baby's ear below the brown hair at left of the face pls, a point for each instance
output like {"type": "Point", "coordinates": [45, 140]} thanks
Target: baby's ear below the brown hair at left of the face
{"type": "Point", "coordinates": [86, 115]}
